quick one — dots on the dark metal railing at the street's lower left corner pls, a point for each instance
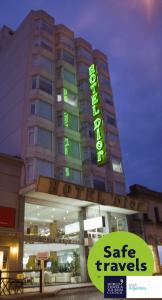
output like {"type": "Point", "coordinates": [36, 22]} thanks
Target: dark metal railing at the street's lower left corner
{"type": "Point", "coordinates": [16, 282]}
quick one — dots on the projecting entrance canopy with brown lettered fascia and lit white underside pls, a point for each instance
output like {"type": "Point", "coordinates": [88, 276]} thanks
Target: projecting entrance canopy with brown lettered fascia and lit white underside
{"type": "Point", "coordinates": [57, 191]}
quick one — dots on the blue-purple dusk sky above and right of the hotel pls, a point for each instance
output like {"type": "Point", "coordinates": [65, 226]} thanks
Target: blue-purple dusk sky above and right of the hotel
{"type": "Point", "coordinates": [130, 33]}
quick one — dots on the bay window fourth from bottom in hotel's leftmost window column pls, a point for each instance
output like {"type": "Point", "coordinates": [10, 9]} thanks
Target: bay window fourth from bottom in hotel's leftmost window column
{"type": "Point", "coordinates": [42, 83]}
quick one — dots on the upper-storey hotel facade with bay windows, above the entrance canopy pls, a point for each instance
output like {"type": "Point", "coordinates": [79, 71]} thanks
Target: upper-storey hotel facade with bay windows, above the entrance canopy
{"type": "Point", "coordinates": [46, 90]}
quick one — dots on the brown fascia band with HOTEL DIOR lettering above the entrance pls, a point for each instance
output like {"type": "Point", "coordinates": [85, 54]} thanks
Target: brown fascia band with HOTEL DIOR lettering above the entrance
{"type": "Point", "coordinates": [70, 190]}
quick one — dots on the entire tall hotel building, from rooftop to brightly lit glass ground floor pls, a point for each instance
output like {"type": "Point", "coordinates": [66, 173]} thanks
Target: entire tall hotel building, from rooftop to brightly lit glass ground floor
{"type": "Point", "coordinates": [57, 114]}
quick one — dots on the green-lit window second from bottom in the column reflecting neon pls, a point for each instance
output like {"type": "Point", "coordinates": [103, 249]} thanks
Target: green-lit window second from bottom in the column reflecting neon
{"type": "Point", "coordinates": [71, 148]}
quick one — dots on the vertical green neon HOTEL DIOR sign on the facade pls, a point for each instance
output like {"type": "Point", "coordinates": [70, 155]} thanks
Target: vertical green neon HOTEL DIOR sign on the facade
{"type": "Point", "coordinates": [97, 116]}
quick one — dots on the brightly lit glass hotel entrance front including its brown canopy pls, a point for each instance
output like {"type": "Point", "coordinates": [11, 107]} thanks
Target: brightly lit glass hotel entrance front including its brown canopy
{"type": "Point", "coordinates": [62, 221]}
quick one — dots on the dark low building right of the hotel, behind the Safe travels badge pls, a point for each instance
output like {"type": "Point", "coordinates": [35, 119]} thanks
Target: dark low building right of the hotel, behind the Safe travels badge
{"type": "Point", "coordinates": [148, 225]}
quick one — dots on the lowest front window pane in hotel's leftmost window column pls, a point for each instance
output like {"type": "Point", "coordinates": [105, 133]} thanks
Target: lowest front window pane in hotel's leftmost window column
{"type": "Point", "coordinates": [44, 168]}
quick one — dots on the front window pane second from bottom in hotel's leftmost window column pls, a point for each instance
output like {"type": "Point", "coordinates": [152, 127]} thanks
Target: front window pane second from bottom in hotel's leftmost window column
{"type": "Point", "coordinates": [44, 138]}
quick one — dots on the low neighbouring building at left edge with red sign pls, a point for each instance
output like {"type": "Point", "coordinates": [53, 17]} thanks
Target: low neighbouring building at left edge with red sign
{"type": "Point", "coordinates": [11, 213]}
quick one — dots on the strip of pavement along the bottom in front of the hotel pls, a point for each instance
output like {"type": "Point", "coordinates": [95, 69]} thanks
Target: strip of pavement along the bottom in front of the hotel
{"type": "Point", "coordinates": [49, 291]}
